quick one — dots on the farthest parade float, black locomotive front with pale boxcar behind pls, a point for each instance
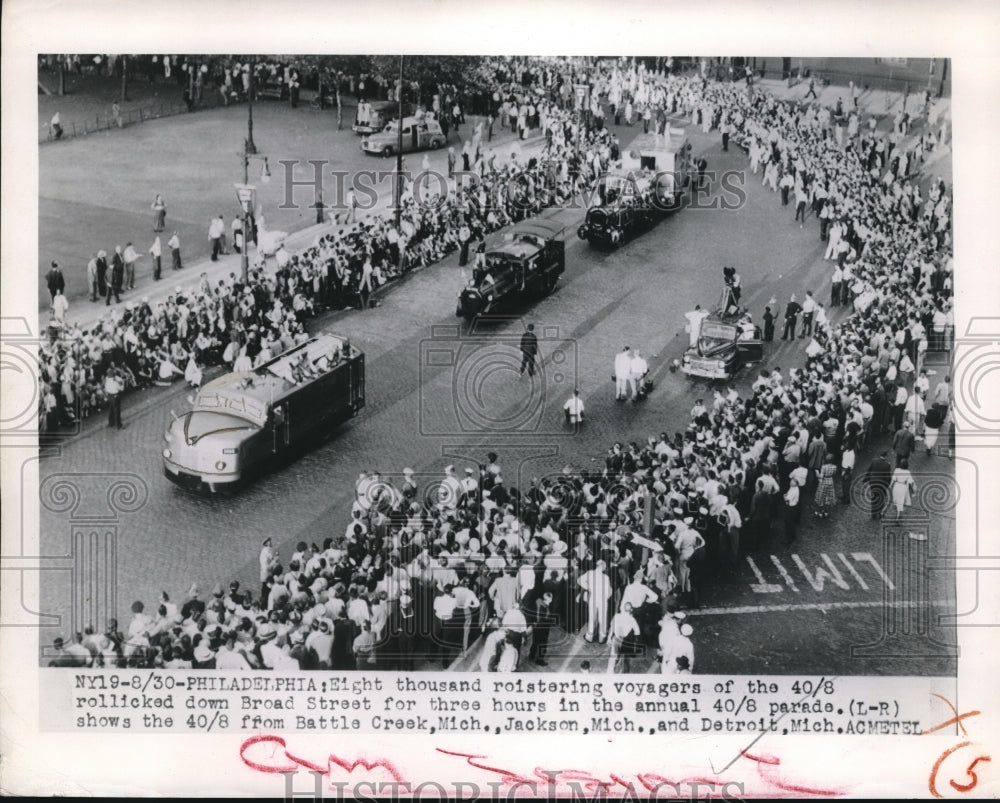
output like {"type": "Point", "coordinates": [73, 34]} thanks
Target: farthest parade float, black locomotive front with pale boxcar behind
{"type": "Point", "coordinates": [656, 172]}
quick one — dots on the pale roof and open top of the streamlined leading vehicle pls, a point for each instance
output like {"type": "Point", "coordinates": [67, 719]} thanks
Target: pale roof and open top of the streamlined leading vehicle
{"type": "Point", "coordinates": [250, 394]}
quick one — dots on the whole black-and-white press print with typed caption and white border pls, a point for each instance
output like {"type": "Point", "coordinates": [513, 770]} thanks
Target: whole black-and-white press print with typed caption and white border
{"type": "Point", "coordinates": [445, 391]}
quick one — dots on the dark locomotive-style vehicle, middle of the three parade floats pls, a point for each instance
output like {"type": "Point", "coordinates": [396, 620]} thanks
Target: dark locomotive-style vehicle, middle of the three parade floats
{"type": "Point", "coordinates": [530, 259]}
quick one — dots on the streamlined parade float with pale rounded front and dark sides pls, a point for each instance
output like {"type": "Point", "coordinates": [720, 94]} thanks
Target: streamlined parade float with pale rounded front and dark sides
{"type": "Point", "coordinates": [245, 421]}
